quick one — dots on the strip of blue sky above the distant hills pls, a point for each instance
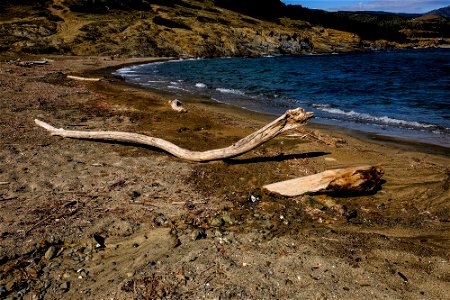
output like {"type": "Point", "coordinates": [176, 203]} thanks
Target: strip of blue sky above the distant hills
{"type": "Point", "coordinates": [404, 6]}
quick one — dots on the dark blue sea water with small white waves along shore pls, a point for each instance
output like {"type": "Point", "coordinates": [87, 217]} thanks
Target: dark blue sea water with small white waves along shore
{"type": "Point", "coordinates": [404, 94]}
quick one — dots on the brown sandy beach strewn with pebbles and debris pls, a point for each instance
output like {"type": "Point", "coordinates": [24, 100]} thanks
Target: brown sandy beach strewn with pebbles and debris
{"type": "Point", "coordinates": [86, 219]}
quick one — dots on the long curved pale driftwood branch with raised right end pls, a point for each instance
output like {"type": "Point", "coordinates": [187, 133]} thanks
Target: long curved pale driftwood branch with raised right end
{"type": "Point", "coordinates": [290, 120]}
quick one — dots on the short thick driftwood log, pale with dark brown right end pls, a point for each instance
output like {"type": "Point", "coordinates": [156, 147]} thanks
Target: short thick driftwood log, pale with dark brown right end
{"type": "Point", "coordinates": [347, 181]}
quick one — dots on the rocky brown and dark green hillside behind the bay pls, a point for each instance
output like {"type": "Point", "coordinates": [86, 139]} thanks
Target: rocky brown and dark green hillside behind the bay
{"type": "Point", "coordinates": [198, 28]}
